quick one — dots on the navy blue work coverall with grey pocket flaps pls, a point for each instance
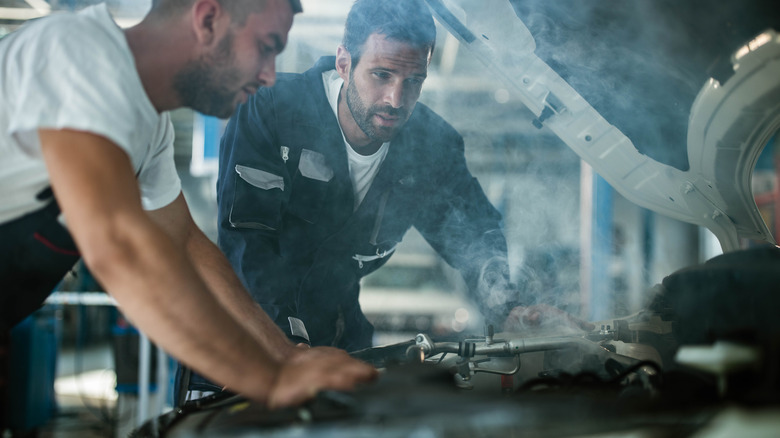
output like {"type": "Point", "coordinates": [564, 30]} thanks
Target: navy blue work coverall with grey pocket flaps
{"type": "Point", "coordinates": [286, 219]}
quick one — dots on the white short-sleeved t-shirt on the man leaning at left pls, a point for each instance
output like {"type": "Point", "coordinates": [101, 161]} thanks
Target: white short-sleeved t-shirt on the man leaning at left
{"type": "Point", "coordinates": [76, 71]}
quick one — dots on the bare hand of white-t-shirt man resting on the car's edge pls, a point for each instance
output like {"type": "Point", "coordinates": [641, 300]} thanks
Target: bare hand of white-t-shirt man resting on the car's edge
{"type": "Point", "coordinates": [316, 369]}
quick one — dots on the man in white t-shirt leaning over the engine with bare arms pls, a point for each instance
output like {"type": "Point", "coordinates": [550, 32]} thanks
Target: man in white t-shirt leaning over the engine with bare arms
{"type": "Point", "coordinates": [86, 153]}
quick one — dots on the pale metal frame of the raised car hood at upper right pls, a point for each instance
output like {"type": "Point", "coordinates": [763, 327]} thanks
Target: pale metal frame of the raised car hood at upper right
{"type": "Point", "coordinates": [729, 124]}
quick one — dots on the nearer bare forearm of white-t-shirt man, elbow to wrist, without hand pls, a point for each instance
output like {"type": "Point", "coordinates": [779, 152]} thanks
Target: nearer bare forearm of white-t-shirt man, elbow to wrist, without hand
{"type": "Point", "coordinates": [159, 291]}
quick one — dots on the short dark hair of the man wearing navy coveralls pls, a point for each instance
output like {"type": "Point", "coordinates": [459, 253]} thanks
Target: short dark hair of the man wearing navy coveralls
{"type": "Point", "coordinates": [407, 21]}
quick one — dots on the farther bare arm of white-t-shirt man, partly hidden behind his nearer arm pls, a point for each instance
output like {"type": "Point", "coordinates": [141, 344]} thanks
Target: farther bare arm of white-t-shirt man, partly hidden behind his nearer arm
{"type": "Point", "coordinates": [214, 268]}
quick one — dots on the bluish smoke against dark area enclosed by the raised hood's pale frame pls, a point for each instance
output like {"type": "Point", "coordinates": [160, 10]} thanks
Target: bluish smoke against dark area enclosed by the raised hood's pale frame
{"type": "Point", "coordinates": [640, 63]}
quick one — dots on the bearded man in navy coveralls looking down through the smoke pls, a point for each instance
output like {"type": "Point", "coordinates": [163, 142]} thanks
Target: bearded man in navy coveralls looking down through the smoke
{"type": "Point", "coordinates": [322, 175]}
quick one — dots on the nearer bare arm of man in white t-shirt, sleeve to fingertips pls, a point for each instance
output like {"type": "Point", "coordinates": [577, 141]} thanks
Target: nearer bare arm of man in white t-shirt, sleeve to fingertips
{"type": "Point", "coordinates": [155, 283]}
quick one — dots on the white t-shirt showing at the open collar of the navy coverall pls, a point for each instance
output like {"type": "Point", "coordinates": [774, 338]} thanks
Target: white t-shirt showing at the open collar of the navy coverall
{"type": "Point", "coordinates": [362, 168]}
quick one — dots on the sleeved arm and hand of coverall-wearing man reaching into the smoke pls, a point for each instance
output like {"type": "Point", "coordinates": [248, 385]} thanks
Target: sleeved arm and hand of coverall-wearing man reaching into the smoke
{"type": "Point", "coordinates": [465, 229]}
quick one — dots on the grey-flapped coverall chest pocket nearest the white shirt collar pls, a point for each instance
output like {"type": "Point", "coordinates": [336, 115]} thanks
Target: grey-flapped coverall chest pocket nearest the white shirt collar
{"type": "Point", "coordinates": [310, 186]}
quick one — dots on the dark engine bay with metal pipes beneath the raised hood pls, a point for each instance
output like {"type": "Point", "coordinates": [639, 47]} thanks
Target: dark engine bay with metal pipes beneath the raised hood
{"type": "Point", "coordinates": [704, 351]}
